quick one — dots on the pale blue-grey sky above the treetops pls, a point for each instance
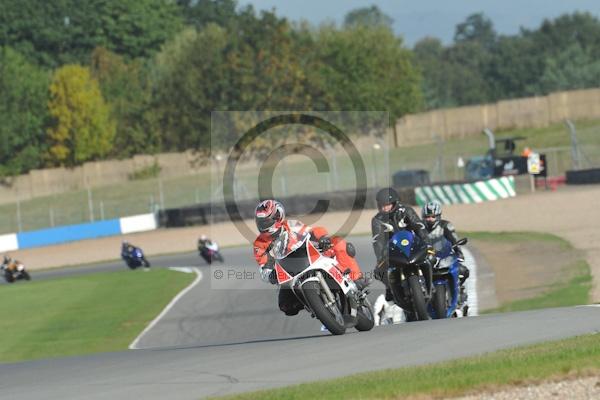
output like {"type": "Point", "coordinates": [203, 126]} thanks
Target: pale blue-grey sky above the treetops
{"type": "Point", "coordinates": [415, 19]}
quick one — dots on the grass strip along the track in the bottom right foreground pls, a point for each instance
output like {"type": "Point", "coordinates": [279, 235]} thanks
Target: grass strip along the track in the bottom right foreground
{"type": "Point", "coordinates": [580, 355]}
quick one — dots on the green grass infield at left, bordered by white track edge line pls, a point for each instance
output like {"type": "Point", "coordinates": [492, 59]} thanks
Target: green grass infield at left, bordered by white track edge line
{"type": "Point", "coordinates": [85, 314]}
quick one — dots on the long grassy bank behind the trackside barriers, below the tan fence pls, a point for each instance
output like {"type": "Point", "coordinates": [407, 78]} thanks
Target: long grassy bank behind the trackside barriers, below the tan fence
{"type": "Point", "coordinates": [143, 195]}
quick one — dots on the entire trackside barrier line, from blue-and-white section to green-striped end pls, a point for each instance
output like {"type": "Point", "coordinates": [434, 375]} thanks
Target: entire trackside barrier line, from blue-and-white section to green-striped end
{"type": "Point", "coordinates": [205, 214]}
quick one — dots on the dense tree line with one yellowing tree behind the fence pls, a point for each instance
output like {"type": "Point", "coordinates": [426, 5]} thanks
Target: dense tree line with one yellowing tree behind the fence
{"type": "Point", "coordinates": [85, 80]}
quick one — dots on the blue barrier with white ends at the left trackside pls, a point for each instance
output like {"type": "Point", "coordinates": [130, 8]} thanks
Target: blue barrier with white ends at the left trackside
{"type": "Point", "coordinates": [71, 233]}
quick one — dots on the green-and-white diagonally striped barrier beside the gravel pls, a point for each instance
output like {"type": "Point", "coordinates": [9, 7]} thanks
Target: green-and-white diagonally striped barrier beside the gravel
{"type": "Point", "coordinates": [473, 192]}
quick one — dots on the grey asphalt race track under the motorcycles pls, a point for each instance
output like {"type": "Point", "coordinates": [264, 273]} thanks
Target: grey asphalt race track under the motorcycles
{"type": "Point", "coordinates": [216, 342]}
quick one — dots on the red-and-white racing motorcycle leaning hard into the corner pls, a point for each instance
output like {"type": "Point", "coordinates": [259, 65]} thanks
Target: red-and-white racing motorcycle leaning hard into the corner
{"type": "Point", "coordinates": [326, 292]}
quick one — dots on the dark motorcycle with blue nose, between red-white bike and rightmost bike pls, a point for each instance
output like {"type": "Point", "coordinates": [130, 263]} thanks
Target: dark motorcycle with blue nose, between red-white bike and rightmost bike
{"type": "Point", "coordinates": [409, 273]}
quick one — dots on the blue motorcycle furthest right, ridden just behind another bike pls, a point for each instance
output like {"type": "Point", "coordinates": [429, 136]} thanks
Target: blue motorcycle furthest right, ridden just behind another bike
{"type": "Point", "coordinates": [446, 289]}
